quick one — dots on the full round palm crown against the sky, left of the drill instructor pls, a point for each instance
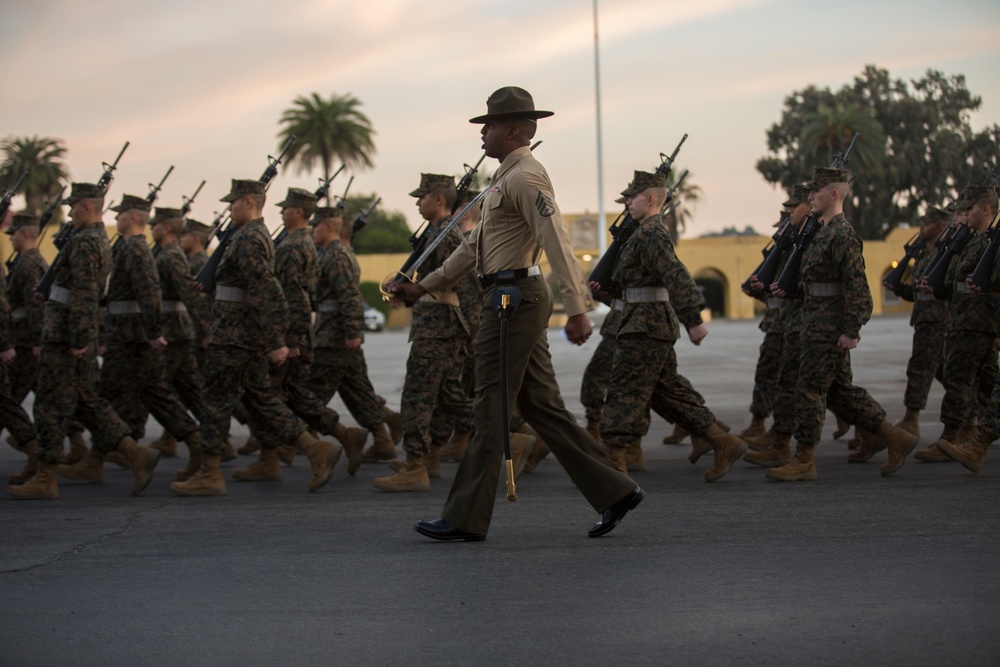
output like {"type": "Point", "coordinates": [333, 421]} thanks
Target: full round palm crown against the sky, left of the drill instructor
{"type": "Point", "coordinates": [327, 130]}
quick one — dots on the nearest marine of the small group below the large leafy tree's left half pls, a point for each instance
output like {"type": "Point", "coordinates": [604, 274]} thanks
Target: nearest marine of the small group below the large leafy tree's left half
{"type": "Point", "coordinates": [836, 304]}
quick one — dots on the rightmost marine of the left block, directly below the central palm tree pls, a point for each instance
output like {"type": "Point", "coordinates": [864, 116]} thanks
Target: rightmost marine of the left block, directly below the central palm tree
{"type": "Point", "coordinates": [339, 361]}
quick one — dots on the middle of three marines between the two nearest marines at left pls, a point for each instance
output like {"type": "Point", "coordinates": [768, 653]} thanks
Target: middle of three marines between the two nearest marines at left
{"type": "Point", "coordinates": [184, 318]}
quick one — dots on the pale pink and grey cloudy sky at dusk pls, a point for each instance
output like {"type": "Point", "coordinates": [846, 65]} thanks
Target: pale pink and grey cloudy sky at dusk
{"type": "Point", "coordinates": [201, 85]}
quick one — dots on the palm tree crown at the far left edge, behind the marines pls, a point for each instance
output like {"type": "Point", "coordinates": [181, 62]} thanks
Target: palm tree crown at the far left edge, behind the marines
{"type": "Point", "coordinates": [42, 157]}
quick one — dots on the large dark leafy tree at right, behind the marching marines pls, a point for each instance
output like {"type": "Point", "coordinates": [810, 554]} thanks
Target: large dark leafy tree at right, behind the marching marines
{"type": "Point", "coordinates": [917, 146]}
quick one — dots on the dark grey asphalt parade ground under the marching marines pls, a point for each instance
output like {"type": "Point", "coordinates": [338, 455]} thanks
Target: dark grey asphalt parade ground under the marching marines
{"type": "Point", "coordinates": [850, 569]}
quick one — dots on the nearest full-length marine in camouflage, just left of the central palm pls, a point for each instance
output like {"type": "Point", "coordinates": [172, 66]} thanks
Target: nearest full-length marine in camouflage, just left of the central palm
{"type": "Point", "coordinates": [249, 320]}
